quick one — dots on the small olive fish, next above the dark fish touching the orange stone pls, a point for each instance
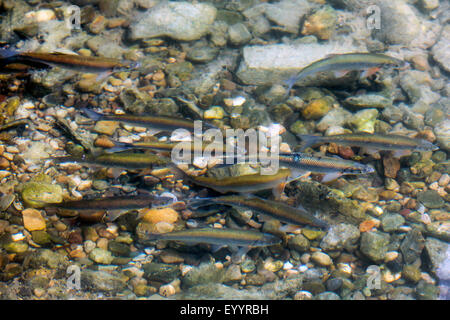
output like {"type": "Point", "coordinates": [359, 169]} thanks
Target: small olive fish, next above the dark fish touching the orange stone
{"type": "Point", "coordinates": [125, 160]}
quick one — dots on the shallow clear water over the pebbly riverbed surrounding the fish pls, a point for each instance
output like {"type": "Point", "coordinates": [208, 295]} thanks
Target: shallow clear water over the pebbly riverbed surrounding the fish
{"type": "Point", "coordinates": [227, 63]}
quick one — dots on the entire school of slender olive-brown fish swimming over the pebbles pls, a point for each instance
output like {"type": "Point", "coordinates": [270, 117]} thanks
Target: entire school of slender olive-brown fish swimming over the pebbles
{"type": "Point", "coordinates": [236, 191]}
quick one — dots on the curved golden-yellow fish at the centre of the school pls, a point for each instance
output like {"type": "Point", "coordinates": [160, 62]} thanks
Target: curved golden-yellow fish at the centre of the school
{"type": "Point", "coordinates": [242, 184]}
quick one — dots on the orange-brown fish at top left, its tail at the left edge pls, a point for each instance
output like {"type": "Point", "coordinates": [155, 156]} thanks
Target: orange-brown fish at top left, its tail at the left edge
{"type": "Point", "coordinates": [67, 61]}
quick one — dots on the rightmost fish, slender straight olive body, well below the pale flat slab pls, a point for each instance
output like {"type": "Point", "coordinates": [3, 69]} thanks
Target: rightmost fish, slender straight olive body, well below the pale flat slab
{"type": "Point", "coordinates": [371, 142]}
